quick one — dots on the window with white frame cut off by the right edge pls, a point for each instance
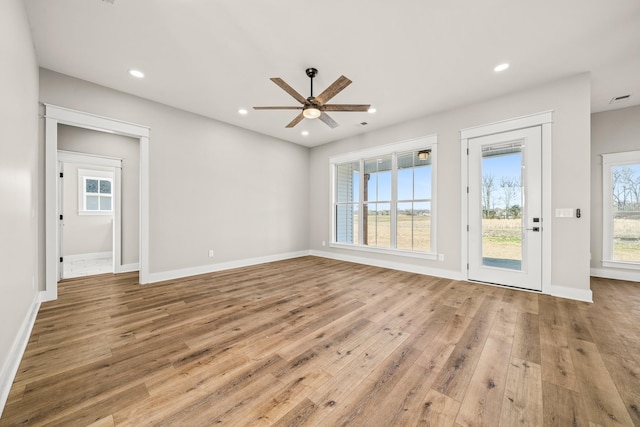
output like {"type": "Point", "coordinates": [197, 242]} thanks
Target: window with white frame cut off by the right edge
{"type": "Point", "coordinates": [621, 210]}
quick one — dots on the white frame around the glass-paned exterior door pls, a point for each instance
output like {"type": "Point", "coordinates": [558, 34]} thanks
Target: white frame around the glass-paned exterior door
{"type": "Point", "coordinates": [543, 119]}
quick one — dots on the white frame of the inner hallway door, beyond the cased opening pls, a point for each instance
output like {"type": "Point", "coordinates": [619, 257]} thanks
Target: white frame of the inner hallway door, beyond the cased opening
{"type": "Point", "coordinates": [115, 164]}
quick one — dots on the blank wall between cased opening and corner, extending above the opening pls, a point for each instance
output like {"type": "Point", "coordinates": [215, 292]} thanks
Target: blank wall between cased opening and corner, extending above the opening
{"type": "Point", "coordinates": [212, 185]}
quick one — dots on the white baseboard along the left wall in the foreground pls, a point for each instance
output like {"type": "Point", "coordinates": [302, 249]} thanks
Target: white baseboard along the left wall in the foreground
{"type": "Point", "coordinates": [10, 368]}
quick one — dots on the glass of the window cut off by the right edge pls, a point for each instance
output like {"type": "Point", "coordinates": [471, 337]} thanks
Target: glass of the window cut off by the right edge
{"type": "Point", "coordinates": [626, 213]}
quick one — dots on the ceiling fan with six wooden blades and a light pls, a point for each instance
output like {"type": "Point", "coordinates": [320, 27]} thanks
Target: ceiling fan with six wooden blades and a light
{"type": "Point", "coordinates": [316, 107]}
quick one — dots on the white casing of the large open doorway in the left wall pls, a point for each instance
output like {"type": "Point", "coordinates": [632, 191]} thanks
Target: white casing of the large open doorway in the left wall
{"type": "Point", "coordinates": [55, 115]}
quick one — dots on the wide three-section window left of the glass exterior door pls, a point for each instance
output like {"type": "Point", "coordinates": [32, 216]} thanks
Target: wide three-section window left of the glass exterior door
{"type": "Point", "coordinates": [383, 198]}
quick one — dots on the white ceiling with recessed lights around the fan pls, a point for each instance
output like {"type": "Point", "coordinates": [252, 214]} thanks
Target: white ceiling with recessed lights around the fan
{"type": "Point", "coordinates": [406, 58]}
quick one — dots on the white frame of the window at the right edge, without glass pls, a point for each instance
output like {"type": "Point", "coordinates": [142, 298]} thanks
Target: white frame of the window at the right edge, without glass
{"type": "Point", "coordinates": [609, 161]}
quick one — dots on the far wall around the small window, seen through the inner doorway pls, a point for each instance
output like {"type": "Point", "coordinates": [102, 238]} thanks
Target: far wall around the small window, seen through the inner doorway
{"type": "Point", "coordinates": [82, 234]}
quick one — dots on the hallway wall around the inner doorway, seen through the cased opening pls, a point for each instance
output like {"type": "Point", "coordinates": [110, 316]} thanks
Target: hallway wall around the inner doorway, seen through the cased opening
{"type": "Point", "coordinates": [87, 141]}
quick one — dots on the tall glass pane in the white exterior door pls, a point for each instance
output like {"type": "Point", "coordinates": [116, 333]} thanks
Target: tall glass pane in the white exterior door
{"type": "Point", "coordinates": [502, 226]}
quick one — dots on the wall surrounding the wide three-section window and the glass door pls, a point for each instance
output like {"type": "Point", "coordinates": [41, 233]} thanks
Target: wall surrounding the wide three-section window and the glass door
{"type": "Point", "coordinates": [570, 101]}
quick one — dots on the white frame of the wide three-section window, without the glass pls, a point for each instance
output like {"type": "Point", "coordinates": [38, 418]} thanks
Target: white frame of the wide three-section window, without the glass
{"type": "Point", "coordinates": [429, 142]}
